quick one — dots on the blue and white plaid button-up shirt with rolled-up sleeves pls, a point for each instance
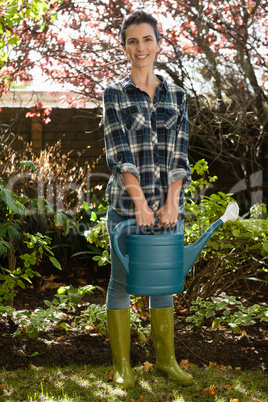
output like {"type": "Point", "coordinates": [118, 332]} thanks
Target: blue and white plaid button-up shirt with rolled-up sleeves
{"type": "Point", "coordinates": [148, 139]}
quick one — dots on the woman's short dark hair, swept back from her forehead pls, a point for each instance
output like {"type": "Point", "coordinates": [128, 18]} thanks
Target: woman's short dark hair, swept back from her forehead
{"type": "Point", "coordinates": [137, 18]}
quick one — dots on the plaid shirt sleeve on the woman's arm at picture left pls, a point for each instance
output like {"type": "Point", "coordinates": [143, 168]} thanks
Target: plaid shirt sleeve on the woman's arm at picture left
{"type": "Point", "coordinates": [118, 155]}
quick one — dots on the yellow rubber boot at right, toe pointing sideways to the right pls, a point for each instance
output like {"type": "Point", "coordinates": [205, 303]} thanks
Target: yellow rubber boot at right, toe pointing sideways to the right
{"type": "Point", "coordinates": [162, 323]}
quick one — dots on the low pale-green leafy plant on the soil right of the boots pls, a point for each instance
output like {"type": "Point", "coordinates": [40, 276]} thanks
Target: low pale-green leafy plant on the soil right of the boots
{"type": "Point", "coordinates": [210, 310]}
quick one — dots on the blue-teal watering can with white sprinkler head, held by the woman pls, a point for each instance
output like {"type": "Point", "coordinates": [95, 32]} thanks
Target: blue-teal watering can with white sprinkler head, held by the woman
{"type": "Point", "coordinates": [157, 264]}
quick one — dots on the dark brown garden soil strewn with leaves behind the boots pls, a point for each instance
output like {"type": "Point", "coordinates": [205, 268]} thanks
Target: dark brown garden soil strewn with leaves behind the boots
{"type": "Point", "coordinates": [200, 346]}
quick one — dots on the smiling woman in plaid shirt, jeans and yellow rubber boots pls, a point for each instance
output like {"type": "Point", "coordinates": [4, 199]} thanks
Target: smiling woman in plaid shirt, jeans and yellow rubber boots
{"type": "Point", "coordinates": [146, 140]}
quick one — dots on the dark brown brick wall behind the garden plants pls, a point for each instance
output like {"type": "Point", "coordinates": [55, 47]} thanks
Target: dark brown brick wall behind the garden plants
{"type": "Point", "coordinates": [79, 131]}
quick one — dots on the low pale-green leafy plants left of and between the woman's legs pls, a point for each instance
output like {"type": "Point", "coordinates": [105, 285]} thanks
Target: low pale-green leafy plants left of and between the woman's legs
{"type": "Point", "coordinates": [65, 312]}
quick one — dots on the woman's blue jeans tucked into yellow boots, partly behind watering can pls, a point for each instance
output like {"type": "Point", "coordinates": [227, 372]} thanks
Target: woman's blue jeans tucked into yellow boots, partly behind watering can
{"type": "Point", "coordinates": [117, 298]}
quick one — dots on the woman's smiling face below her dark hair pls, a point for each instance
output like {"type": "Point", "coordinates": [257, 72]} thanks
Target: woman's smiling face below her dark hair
{"type": "Point", "coordinates": [141, 45]}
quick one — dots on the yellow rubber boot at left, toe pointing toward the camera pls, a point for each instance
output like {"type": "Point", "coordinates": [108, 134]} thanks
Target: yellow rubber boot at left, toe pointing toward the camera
{"type": "Point", "coordinates": [119, 333]}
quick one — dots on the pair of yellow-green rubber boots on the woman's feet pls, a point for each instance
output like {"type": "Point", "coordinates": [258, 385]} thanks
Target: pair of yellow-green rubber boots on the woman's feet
{"type": "Point", "coordinates": [162, 326]}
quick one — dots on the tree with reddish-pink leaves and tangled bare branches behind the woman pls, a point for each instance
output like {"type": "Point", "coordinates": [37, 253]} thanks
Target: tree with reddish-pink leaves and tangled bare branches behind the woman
{"type": "Point", "coordinates": [215, 49]}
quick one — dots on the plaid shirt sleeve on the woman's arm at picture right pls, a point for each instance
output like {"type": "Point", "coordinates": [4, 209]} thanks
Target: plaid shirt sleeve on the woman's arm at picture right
{"type": "Point", "coordinates": [180, 167]}
